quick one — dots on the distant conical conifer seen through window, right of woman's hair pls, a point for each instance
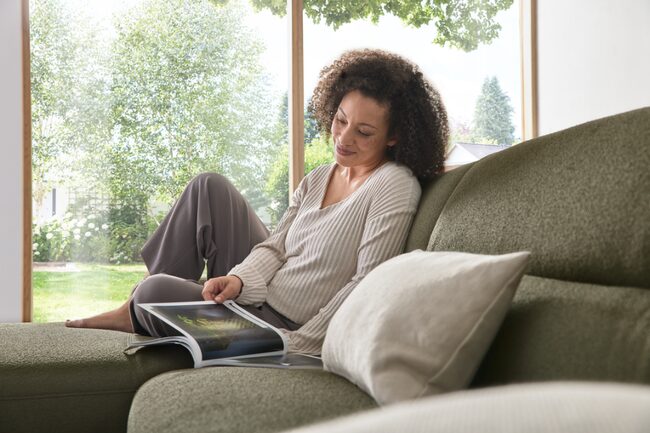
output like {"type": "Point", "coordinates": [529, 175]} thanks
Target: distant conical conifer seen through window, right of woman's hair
{"type": "Point", "coordinates": [493, 114]}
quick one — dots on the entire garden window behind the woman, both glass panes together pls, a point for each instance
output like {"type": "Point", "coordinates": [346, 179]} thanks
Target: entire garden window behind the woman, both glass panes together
{"type": "Point", "coordinates": [132, 98]}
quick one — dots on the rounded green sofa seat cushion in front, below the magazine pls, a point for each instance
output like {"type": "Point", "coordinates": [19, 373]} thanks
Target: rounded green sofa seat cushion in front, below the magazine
{"type": "Point", "coordinates": [234, 400]}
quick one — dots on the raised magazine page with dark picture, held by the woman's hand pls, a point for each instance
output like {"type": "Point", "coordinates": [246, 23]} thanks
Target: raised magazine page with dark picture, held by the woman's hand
{"type": "Point", "coordinates": [218, 331]}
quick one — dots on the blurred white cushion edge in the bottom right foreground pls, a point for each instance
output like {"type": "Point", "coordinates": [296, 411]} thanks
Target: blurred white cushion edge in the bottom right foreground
{"type": "Point", "coordinates": [556, 407]}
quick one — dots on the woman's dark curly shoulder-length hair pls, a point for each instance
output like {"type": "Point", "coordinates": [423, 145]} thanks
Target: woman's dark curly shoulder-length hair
{"type": "Point", "coordinates": [417, 115]}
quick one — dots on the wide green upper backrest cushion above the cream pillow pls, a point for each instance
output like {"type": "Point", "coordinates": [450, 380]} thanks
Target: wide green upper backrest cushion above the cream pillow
{"type": "Point", "coordinates": [579, 200]}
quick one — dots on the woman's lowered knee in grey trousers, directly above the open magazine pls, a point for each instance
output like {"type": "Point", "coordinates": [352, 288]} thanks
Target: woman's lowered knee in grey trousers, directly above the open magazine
{"type": "Point", "coordinates": [166, 288]}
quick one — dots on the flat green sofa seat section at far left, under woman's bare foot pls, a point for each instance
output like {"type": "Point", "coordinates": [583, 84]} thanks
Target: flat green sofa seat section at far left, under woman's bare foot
{"type": "Point", "coordinates": [54, 378]}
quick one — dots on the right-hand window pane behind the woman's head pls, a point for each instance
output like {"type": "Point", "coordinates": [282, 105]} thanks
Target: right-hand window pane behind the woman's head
{"type": "Point", "coordinates": [480, 88]}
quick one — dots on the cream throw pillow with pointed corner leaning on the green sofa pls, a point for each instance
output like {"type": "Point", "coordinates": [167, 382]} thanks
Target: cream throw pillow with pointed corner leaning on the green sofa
{"type": "Point", "coordinates": [420, 323]}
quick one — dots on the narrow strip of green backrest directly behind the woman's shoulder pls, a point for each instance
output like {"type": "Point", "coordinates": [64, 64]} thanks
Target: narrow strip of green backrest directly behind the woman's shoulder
{"type": "Point", "coordinates": [434, 197]}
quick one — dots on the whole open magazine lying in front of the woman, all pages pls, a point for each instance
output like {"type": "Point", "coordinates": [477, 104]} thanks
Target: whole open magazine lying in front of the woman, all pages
{"type": "Point", "coordinates": [223, 334]}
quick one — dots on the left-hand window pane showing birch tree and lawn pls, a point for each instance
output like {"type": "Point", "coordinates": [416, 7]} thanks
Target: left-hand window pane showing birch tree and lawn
{"type": "Point", "coordinates": [130, 100]}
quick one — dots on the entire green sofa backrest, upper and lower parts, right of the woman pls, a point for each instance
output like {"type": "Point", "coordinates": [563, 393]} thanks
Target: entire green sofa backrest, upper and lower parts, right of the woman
{"type": "Point", "coordinates": [579, 200]}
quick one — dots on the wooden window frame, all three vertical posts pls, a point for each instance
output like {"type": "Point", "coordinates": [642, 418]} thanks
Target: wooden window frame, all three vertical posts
{"type": "Point", "coordinates": [528, 63]}
